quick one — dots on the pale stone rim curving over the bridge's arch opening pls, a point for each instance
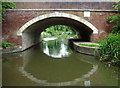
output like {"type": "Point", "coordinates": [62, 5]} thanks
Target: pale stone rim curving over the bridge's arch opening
{"type": "Point", "coordinates": [57, 14]}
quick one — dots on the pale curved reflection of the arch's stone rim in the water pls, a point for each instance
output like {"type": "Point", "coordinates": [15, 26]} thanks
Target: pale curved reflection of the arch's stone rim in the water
{"type": "Point", "coordinates": [31, 77]}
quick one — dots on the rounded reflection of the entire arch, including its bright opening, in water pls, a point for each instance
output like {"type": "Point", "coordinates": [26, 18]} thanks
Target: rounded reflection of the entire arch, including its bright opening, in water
{"type": "Point", "coordinates": [69, 73]}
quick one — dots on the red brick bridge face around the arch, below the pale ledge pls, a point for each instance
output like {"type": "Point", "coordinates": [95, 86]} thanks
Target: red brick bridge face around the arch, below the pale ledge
{"type": "Point", "coordinates": [16, 19]}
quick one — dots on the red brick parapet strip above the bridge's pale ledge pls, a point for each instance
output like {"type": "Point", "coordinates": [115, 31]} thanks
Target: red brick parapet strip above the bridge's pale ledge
{"type": "Point", "coordinates": [65, 5]}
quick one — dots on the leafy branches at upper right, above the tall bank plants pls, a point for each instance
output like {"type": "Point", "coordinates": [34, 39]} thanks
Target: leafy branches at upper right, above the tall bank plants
{"type": "Point", "coordinates": [115, 19]}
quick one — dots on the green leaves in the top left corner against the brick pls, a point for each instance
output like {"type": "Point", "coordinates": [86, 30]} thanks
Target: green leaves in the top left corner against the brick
{"type": "Point", "coordinates": [7, 5]}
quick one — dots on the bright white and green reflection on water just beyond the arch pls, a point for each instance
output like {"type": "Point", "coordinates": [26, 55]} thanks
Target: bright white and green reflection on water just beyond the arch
{"type": "Point", "coordinates": [62, 52]}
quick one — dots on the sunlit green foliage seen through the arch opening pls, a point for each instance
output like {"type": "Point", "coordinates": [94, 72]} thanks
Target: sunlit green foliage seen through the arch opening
{"type": "Point", "coordinates": [58, 30]}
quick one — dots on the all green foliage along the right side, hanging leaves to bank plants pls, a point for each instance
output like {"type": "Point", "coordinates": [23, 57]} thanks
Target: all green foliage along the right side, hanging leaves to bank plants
{"type": "Point", "coordinates": [110, 47]}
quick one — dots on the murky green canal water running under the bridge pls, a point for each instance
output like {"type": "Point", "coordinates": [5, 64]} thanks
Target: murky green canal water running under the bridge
{"type": "Point", "coordinates": [53, 63]}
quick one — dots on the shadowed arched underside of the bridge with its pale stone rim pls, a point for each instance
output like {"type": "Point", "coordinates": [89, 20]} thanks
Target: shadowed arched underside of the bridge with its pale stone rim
{"type": "Point", "coordinates": [31, 31]}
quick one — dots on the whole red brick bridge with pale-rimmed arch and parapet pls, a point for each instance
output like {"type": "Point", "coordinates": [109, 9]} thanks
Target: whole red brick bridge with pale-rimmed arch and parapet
{"type": "Point", "coordinates": [23, 25]}
